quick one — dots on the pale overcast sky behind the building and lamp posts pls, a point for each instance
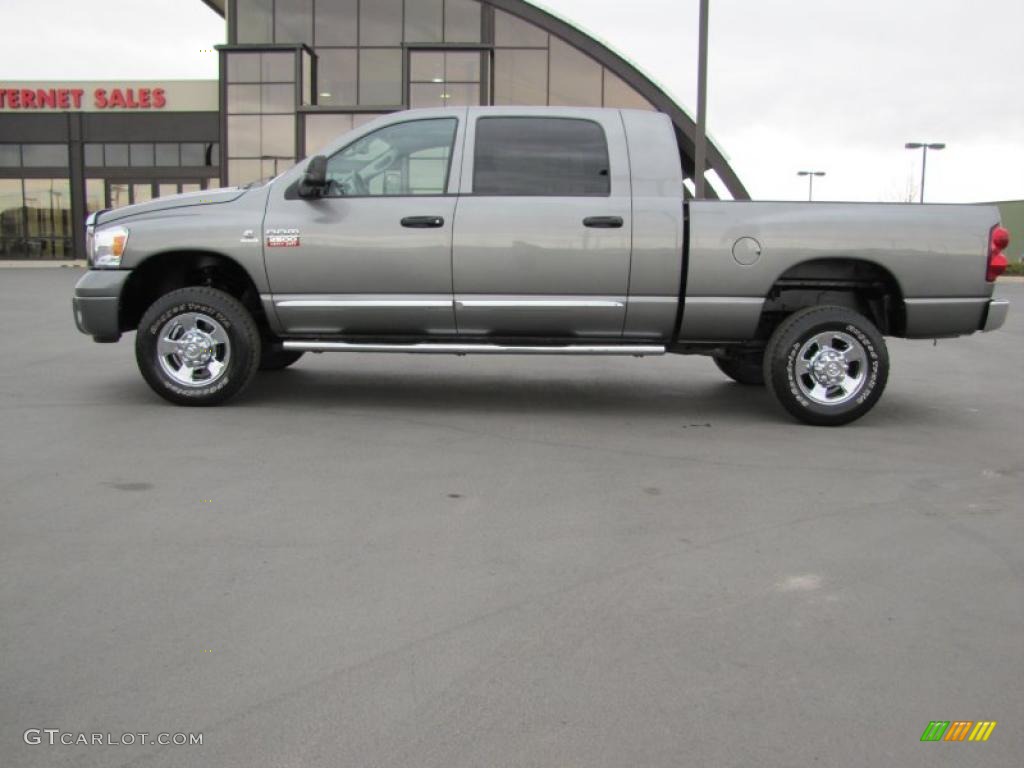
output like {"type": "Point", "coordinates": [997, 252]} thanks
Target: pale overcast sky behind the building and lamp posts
{"type": "Point", "coordinates": [837, 86]}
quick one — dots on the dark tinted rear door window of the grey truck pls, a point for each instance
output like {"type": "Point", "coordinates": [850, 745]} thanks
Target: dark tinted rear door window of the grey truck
{"type": "Point", "coordinates": [541, 157]}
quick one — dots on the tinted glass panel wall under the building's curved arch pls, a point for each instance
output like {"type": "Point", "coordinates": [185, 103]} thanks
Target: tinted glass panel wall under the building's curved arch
{"type": "Point", "coordinates": [360, 62]}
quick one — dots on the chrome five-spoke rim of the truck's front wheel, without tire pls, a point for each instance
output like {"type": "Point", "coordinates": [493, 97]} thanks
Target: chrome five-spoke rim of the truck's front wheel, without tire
{"type": "Point", "coordinates": [194, 350]}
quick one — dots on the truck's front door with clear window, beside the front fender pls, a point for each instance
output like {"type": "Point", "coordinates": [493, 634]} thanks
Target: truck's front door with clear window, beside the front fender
{"type": "Point", "coordinates": [373, 255]}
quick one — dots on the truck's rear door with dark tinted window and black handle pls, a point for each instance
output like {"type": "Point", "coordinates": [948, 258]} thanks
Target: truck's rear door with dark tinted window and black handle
{"type": "Point", "coordinates": [544, 226]}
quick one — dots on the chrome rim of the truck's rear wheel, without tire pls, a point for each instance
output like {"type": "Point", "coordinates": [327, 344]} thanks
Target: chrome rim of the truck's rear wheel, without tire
{"type": "Point", "coordinates": [832, 368]}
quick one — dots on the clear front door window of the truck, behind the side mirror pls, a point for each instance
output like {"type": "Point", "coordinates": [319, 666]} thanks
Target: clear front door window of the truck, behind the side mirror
{"type": "Point", "coordinates": [400, 160]}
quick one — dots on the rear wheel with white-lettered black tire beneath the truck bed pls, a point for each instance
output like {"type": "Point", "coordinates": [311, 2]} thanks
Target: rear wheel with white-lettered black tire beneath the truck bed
{"type": "Point", "coordinates": [862, 361]}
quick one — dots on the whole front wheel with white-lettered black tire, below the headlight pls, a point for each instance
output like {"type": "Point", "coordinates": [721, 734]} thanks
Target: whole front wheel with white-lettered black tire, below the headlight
{"type": "Point", "coordinates": [216, 314]}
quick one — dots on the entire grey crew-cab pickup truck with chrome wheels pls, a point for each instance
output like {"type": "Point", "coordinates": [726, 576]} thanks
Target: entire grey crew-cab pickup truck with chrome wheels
{"type": "Point", "coordinates": [499, 231]}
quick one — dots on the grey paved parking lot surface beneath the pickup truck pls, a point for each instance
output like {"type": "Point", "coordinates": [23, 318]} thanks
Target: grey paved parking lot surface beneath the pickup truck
{"type": "Point", "coordinates": [432, 562]}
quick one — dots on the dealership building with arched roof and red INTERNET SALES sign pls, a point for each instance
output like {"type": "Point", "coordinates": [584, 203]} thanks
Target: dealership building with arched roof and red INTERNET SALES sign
{"type": "Point", "coordinates": [294, 75]}
